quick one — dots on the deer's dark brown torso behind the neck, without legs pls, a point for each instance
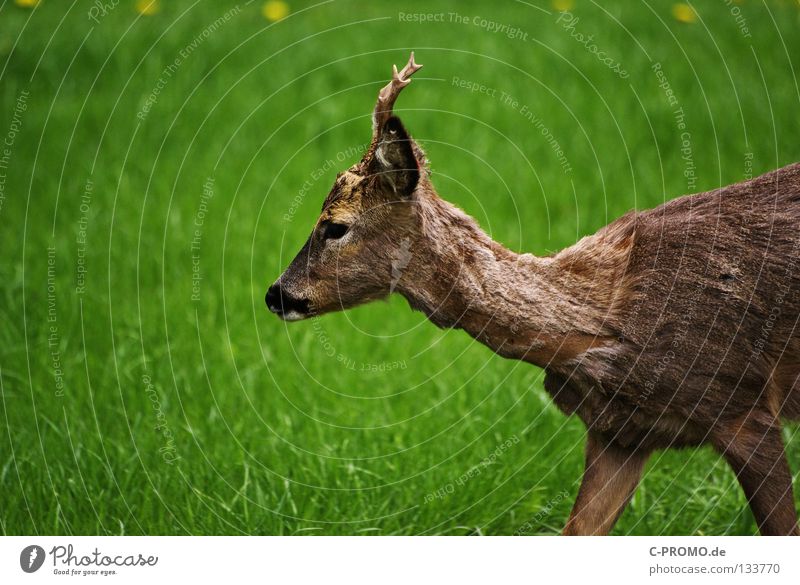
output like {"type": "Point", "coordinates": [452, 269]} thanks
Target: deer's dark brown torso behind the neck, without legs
{"type": "Point", "coordinates": [704, 322]}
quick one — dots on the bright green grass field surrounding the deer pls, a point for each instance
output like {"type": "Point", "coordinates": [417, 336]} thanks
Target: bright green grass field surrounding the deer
{"type": "Point", "coordinates": [164, 168]}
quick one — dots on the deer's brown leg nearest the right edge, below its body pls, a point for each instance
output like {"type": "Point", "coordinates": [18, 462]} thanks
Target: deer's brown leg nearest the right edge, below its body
{"type": "Point", "coordinates": [754, 449]}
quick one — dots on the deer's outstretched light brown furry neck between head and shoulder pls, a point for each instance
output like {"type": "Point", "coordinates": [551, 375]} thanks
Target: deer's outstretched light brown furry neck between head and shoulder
{"type": "Point", "coordinates": [521, 306]}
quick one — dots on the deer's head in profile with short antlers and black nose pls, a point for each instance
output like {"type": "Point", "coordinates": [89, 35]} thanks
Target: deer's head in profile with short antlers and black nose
{"type": "Point", "coordinates": [368, 224]}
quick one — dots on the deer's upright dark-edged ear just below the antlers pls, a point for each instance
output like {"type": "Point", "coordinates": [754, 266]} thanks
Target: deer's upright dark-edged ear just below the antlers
{"type": "Point", "coordinates": [394, 162]}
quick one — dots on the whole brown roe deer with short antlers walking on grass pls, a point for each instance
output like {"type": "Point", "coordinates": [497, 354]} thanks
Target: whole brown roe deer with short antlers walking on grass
{"type": "Point", "coordinates": [672, 327]}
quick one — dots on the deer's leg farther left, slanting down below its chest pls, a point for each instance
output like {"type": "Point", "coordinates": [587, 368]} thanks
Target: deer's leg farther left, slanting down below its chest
{"type": "Point", "coordinates": [609, 480]}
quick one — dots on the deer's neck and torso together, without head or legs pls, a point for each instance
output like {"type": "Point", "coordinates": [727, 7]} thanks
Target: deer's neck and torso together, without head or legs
{"type": "Point", "coordinates": [661, 327]}
